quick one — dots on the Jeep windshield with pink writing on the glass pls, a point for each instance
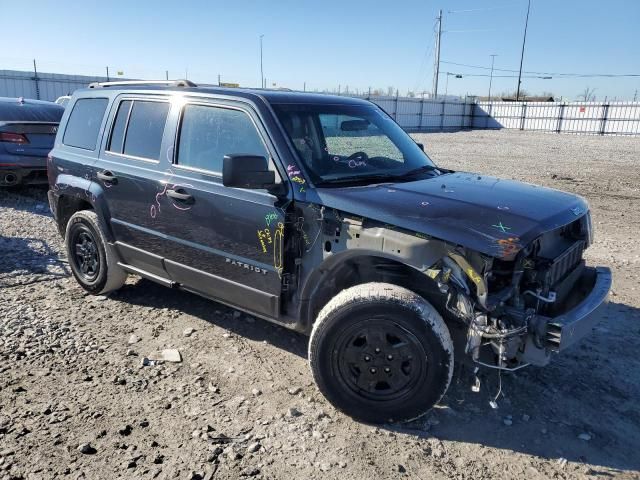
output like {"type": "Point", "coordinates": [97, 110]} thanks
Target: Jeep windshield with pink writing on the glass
{"type": "Point", "coordinates": [344, 143]}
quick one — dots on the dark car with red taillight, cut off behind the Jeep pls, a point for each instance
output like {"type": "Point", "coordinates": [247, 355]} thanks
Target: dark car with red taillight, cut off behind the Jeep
{"type": "Point", "coordinates": [27, 131]}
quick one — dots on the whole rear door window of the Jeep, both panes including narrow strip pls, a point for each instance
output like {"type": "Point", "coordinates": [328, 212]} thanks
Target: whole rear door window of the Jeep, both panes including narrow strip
{"type": "Point", "coordinates": [138, 128]}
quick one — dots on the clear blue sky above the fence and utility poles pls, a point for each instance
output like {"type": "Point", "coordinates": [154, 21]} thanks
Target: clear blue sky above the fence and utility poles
{"type": "Point", "coordinates": [331, 43]}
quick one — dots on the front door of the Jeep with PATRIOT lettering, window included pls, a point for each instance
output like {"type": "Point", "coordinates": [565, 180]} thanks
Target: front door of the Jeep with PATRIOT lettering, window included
{"type": "Point", "coordinates": [223, 242]}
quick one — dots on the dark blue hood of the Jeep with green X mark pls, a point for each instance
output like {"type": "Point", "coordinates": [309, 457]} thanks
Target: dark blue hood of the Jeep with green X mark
{"type": "Point", "coordinates": [492, 216]}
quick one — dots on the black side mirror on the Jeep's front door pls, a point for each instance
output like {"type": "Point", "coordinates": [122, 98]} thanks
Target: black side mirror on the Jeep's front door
{"type": "Point", "coordinates": [247, 171]}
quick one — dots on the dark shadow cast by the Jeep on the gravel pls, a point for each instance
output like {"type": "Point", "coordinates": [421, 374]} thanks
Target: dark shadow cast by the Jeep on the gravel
{"type": "Point", "coordinates": [542, 411]}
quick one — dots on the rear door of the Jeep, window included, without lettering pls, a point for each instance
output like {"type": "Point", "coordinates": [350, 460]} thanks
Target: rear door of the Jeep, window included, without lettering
{"type": "Point", "coordinates": [131, 170]}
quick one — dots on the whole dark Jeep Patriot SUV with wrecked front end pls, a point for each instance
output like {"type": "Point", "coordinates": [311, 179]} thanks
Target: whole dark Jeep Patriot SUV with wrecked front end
{"type": "Point", "coordinates": [321, 214]}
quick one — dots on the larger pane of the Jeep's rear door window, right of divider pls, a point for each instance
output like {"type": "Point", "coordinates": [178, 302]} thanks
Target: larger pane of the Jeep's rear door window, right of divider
{"type": "Point", "coordinates": [146, 126]}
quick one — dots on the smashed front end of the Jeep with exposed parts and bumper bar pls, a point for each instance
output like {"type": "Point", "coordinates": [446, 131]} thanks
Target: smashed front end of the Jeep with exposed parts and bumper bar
{"type": "Point", "coordinates": [526, 302]}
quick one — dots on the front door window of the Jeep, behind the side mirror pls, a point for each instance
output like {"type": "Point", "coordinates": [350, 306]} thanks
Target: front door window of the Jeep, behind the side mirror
{"type": "Point", "coordinates": [207, 134]}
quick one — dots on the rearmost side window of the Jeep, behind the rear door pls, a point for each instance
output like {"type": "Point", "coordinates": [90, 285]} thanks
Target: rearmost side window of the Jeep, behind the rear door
{"type": "Point", "coordinates": [84, 123]}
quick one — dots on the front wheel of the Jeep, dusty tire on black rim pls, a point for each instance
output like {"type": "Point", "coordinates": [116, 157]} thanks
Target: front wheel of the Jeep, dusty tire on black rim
{"type": "Point", "coordinates": [381, 353]}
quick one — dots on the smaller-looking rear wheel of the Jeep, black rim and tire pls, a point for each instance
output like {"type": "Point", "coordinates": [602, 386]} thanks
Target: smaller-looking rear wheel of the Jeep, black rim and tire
{"type": "Point", "coordinates": [92, 262]}
